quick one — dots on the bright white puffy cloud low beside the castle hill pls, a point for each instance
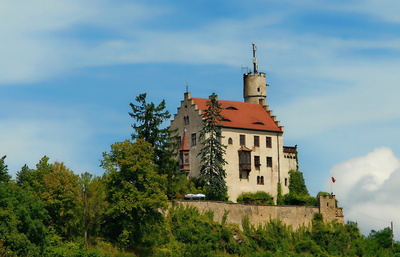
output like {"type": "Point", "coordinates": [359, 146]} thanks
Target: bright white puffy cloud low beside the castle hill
{"type": "Point", "coordinates": [367, 188]}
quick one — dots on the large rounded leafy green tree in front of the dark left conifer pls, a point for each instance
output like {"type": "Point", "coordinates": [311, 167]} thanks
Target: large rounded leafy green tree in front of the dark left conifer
{"type": "Point", "coordinates": [135, 192]}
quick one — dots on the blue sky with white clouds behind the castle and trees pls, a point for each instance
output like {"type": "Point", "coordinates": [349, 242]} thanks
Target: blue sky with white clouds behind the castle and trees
{"type": "Point", "coordinates": [69, 69]}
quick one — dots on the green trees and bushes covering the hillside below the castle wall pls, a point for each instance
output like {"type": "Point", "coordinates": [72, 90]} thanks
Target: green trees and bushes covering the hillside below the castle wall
{"type": "Point", "coordinates": [131, 223]}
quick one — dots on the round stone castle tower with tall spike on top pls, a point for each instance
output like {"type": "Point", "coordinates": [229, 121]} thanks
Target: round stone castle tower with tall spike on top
{"type": "Point", "coordinates": [254, 84]}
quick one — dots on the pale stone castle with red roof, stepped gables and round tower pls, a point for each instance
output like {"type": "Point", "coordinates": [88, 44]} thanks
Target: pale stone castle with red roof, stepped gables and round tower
{"type": "Point", "coordinates": [257, 159]}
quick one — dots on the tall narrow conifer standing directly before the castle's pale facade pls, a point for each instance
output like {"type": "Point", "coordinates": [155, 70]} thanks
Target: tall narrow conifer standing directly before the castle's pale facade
{"type": "Point", "coordinates": [212, 170]}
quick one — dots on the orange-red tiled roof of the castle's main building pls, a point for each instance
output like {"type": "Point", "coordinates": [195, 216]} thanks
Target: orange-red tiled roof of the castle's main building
{"type": "Point", "coordinates": [243, 115]}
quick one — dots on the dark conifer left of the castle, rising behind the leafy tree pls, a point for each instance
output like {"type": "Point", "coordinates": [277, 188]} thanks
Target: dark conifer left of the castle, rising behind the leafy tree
{"type": "Point", "coordinates": [149, 119]}
